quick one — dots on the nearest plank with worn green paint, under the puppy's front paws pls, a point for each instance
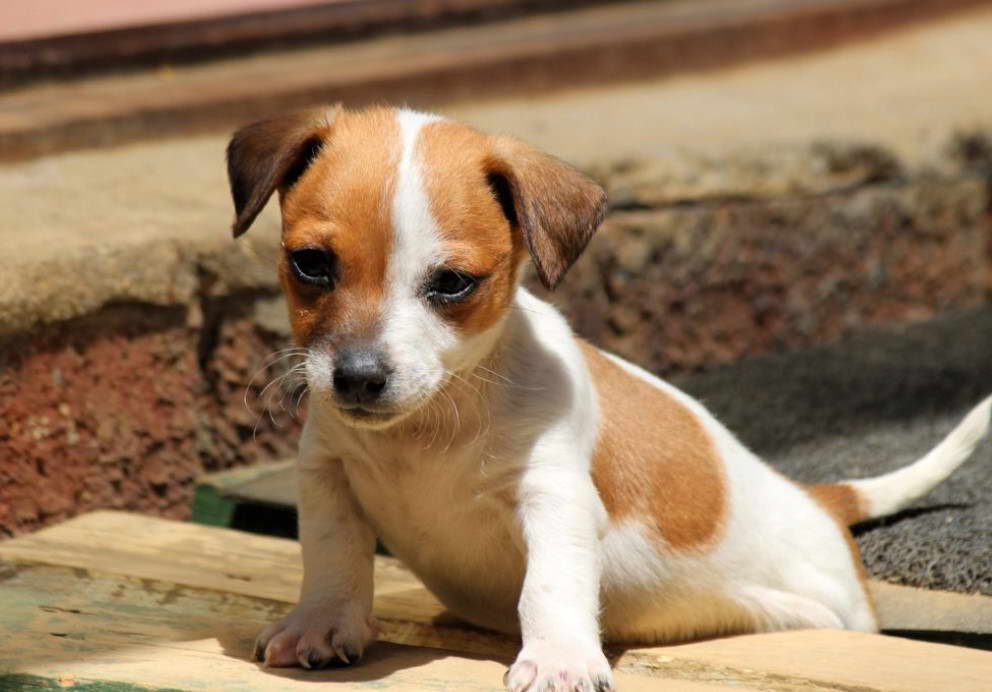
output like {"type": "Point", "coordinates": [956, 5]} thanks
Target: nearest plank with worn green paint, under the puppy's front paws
{"type": "Point", "coordinates": [68, 628]}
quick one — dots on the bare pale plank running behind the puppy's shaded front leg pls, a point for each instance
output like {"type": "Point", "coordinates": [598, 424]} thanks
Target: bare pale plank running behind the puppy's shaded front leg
{"type": "Point", "coordinates": [237, 563]}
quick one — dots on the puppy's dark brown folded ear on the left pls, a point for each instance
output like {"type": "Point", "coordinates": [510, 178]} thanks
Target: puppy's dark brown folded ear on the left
{"type": "Point", "coordinates": [271, 155]}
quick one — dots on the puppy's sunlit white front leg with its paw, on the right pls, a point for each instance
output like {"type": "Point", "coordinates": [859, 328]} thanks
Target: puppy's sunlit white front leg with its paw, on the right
{"type": "Point", "coordinates": [561, 519]}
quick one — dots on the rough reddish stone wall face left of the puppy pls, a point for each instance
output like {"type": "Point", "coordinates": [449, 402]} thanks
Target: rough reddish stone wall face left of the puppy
{"type": "Point", "coordinates": [125, 407]}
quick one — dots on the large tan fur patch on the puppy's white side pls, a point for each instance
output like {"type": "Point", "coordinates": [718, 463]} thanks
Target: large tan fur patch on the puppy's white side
{"type": "Point", "coordinates": [654, 459]}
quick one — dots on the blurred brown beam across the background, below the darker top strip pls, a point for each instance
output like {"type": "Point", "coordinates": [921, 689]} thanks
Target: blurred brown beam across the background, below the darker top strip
{"type": "Point", "coordinates": [630, 40]}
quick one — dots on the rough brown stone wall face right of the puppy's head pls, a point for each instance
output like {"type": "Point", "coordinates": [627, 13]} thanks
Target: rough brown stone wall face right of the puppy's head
{"type": "Point", "coordinates": [692, 286]}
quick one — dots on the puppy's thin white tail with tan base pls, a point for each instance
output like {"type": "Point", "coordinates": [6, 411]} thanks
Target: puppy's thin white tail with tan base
{"type": "Point", "coordinates": [857, 500]}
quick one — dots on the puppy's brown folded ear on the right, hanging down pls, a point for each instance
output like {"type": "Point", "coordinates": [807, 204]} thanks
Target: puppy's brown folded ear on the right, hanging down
{"type": "Point", "coordinates": [554, 206]}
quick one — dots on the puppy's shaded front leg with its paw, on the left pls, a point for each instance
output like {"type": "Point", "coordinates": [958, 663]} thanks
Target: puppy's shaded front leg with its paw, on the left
{"type": "Point", "coordinates": [333, 619]}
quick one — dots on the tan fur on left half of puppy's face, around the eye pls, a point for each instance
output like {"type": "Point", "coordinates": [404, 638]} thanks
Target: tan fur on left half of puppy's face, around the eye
{"type": "Point", "coordinates": [343, 204]}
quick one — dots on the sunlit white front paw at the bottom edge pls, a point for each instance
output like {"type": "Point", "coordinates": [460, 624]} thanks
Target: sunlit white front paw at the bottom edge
{"type": "Point", "coordinates": [560, 667]}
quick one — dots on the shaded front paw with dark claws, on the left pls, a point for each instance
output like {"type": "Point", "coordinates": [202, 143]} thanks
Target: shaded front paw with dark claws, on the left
{"type": "Point", "coordinates": [316, 636]}
